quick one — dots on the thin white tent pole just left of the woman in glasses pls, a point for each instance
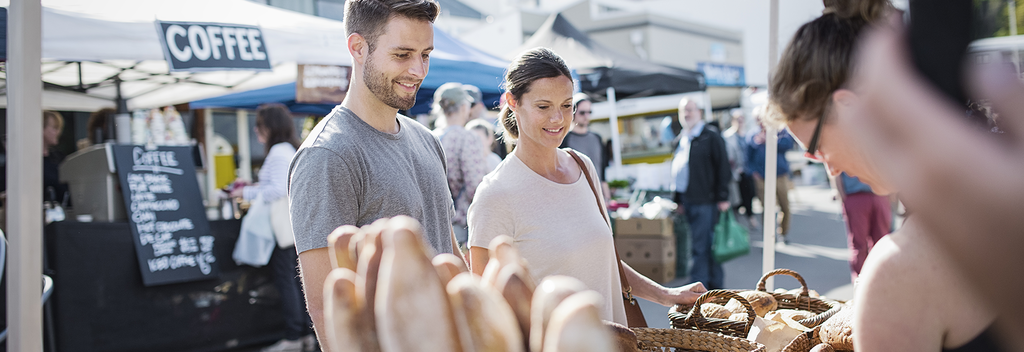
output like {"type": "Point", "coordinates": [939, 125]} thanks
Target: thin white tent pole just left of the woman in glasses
{"type": "Point", "coordinates": [769, 259]}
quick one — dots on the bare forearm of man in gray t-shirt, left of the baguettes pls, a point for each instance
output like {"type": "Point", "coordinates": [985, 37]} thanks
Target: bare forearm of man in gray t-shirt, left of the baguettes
{"type": "Point", "coordinates": [314, 268]}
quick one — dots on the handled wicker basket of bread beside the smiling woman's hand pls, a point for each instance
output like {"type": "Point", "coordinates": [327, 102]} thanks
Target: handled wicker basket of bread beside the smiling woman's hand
{"type": "Point", "coordinates": [696, 320]}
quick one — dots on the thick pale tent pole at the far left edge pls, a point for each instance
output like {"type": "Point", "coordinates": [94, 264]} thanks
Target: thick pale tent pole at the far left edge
{"type": "Point", "coordinates": [25, 169]}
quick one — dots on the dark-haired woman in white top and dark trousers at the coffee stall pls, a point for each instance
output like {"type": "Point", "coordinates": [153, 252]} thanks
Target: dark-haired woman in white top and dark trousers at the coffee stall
{"type": "Point", "coordinates": [276, 129]}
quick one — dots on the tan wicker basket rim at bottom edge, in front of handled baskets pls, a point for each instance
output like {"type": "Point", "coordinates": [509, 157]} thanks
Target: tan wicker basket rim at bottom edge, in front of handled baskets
{"type": "Point", "coordinates": [685, 340]}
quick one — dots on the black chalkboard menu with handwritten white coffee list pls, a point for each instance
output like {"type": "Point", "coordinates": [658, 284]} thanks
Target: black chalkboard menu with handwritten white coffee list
{"type": "Point", "coordinates": [173, 237]}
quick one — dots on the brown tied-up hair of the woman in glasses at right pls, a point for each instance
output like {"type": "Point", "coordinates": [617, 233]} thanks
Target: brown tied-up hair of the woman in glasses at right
{"type": "Point", "coordinates": [819, 60]}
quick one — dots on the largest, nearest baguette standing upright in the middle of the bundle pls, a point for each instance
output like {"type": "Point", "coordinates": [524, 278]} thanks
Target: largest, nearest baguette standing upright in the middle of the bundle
{"type": "Point", "coordinates": [412, 309]}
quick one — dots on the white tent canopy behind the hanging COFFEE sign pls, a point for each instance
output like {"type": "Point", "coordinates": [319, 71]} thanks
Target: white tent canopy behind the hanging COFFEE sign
{"type": "Point", "coordinates": [89, 46]}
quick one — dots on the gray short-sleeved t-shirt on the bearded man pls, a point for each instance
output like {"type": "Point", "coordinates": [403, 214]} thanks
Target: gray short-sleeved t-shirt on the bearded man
{"type": "Point", "coordinates": [349, 173]}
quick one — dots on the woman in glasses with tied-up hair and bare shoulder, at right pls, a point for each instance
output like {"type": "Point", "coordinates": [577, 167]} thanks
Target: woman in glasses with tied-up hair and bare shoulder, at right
{"type": "Point", "coordinates": [911, 297]}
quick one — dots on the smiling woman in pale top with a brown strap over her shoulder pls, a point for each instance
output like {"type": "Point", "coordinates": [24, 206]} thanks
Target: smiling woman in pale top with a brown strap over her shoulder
{"type": "Point", "coordinates": [540, 197]}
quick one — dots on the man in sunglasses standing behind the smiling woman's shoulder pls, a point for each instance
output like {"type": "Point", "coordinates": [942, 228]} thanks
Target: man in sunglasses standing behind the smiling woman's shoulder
{"type": "Point", "coordinates": [582, 140]}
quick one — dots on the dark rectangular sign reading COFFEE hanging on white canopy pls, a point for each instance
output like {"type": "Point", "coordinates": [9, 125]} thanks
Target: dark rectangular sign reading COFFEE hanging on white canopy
{"type": "Point", "coordinates": [205, 47]}
